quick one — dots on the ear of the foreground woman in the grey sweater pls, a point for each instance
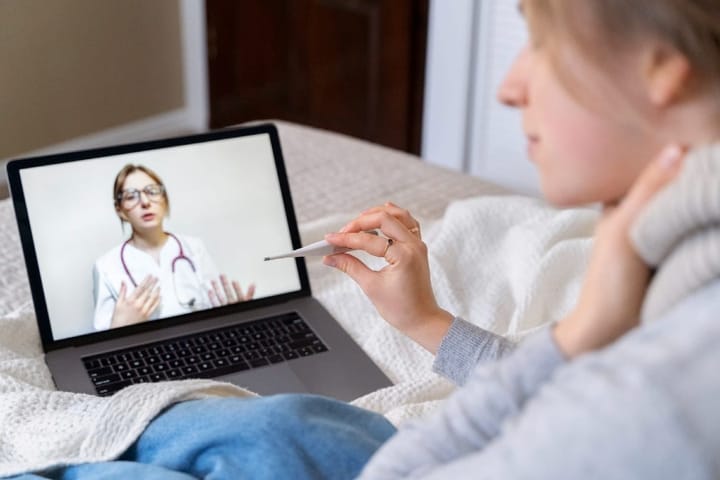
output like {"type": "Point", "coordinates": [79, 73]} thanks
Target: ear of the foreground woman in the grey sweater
{"type": "Point", "coordinates": [667, 73]}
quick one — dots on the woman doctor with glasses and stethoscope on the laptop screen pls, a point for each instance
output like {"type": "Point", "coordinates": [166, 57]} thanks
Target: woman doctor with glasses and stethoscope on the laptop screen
{"type": "Point", "coordinates": [154, 273]}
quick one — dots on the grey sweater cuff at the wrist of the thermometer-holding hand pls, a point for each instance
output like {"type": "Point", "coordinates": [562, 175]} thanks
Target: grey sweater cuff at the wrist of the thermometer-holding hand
{"type": "Point", "coordinates": [465, 346]}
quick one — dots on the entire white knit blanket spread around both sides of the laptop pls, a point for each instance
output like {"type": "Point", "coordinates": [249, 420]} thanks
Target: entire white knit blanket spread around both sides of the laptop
{"type": "Point", "coordinates": [508, 264]}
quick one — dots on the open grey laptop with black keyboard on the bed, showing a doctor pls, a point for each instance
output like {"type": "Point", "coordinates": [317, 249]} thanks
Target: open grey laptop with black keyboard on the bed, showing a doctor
{"type": "Point", "coordinates": [115, 309]}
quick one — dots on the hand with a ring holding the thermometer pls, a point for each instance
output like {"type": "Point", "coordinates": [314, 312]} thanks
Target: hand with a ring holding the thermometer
{"type": "Point", "coordinates": [400, 291]}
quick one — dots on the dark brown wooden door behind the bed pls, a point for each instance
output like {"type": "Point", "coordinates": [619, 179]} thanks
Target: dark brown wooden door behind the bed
{"type": "Point", "coordinates": [352, 66]}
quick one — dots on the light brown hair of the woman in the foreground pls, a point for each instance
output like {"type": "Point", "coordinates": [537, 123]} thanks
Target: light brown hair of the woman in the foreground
{"type": "Point", "coordinates": [603, 29]}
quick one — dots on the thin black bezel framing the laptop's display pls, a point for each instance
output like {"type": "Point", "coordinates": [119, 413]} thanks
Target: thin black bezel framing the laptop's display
{"type": "Point", "coordinates": [14, 167]}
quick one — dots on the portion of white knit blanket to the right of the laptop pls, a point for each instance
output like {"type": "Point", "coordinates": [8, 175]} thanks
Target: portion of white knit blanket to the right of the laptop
{"type": "Point", "coordinates": [508, 264]}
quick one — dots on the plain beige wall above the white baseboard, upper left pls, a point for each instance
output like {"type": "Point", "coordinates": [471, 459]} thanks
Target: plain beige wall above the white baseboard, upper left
{"type": "Point", "coordinates": [74, 67]}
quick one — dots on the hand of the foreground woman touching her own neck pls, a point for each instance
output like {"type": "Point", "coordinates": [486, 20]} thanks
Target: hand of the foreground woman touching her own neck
{"type": "Point", "coordinates": [617, 278]}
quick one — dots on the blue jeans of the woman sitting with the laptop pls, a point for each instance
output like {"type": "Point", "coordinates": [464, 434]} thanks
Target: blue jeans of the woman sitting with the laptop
{"type": "Point", "coordinates": [282, 436]}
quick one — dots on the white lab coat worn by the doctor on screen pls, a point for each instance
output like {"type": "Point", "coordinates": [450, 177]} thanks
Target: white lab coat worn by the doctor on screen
{"type": "Point", "coordinates": [108, 273]}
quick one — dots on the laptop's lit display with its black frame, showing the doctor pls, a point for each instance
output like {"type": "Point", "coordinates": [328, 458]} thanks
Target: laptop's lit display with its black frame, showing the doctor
{"type": "Point", "coordinates": [146, 232]}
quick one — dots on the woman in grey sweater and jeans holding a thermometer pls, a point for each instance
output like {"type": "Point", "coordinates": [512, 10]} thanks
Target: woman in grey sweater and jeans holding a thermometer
{"type": "Point", "coordinates": [621, 106]}
